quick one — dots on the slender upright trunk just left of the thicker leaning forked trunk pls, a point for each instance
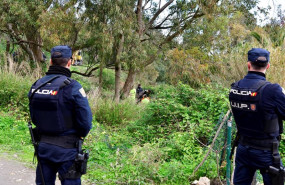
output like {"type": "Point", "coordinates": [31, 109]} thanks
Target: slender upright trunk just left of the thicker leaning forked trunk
{"type": "Point", "coordinates": [117, 52]}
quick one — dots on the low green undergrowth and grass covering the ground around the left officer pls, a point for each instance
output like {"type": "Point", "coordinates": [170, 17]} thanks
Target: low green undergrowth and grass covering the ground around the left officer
{"type": "Point", "coordinates": [132, 143]}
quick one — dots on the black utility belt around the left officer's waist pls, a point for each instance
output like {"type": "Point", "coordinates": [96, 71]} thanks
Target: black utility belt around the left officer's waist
{"type": "Point", "coordinates": [69, 141]}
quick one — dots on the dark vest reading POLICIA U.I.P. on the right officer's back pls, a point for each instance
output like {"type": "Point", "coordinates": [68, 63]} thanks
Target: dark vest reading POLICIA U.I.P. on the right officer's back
{"type": "Point", "coordinates": [251, 120]}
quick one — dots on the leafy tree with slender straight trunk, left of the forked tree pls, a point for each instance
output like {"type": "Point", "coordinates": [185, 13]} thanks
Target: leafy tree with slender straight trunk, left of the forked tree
{"type": "Point", "coordinates": [108, 24]}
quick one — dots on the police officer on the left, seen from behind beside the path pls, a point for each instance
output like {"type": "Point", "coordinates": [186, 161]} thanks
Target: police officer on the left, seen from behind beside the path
{"type": "Point", "coordinates": [59, 108]}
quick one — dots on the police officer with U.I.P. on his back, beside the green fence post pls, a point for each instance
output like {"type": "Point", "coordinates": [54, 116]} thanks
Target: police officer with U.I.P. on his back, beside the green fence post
{"type": "Point", "coordinates": [258, 107]}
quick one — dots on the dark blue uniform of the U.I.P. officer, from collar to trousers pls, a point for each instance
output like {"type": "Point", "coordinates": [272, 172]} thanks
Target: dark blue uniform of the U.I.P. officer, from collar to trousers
{"type": "Point", "coordinates": [251, 119]}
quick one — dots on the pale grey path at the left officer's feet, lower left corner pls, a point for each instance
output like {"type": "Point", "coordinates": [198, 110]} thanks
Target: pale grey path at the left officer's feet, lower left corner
{"type": "Point", "coordinates": [15, 173]}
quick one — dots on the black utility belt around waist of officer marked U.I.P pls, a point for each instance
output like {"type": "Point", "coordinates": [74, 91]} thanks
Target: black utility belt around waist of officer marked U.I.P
{"type": "Point", "coordinates": [260, 144]}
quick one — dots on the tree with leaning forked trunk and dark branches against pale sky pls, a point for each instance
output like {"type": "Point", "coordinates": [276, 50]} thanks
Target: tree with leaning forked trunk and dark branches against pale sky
{"type": "Point", "coordinates": [159, 24]}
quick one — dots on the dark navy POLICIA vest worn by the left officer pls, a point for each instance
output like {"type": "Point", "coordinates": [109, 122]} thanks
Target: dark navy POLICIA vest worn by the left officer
{"type": "Point", "coordinates": [51, 105]}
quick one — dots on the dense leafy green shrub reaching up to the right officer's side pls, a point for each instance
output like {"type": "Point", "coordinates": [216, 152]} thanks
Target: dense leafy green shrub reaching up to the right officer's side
{"type": "Point", "coordinates": [181, 108]}
